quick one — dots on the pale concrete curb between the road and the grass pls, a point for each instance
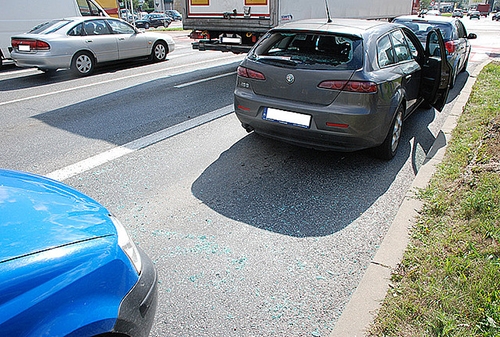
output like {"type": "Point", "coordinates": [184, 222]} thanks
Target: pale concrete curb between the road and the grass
{"type": "Point", "coordinates": [362, 308]}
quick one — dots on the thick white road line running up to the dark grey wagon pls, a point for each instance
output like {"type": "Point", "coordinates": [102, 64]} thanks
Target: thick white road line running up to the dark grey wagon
{"type": "Point", "coordinates": [120, 151]}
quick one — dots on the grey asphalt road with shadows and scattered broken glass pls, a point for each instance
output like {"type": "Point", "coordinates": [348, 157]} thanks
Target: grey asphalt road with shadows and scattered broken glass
{"type": "Point", "coordinates": [250, 237]}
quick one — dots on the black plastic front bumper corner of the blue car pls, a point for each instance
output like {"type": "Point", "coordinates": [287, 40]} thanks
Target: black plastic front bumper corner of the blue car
{"type": "Point", "coordinates": [138, 308]}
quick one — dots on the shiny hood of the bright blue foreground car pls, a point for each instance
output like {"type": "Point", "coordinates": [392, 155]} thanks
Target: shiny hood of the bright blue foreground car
{"type": "Point", "coordinates": [37, 214]}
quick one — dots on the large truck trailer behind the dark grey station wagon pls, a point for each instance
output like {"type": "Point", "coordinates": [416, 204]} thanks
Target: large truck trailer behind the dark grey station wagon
{"type": "Point", "coordinates": [235, 25]}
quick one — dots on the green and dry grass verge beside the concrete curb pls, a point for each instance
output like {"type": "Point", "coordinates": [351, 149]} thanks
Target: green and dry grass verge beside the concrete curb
{"type": "Point", "coordinates": [448, 283]}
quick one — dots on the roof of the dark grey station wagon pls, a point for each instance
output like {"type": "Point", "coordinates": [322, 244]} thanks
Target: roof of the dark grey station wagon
{"type": "Point", "coordinates": [344, 26]}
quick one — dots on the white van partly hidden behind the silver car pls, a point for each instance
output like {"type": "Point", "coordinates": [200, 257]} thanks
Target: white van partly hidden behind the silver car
{"type": "Point", "coordinates": [19, 16]}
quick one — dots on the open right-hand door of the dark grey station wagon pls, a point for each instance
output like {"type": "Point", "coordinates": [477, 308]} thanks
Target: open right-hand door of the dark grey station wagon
{"type": "Point", "coordinates": [436, 71]}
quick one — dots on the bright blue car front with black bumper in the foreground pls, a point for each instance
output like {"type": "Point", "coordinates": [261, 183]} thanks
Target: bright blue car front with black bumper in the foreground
{"type": "Point", "coordinates": [68, 267]}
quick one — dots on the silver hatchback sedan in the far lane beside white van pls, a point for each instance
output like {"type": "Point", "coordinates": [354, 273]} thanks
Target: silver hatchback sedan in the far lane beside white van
{"type": "Point", "coordinates": [82, 42]}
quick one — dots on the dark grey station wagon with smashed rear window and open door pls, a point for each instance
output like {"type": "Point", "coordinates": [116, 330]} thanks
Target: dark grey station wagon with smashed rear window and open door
{"type": "Point", "coordinates": [346, 85]}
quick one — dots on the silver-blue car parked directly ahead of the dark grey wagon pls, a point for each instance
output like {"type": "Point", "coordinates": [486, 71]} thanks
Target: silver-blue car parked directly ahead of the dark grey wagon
{"type": "Point", "coordinates": [455, 35]}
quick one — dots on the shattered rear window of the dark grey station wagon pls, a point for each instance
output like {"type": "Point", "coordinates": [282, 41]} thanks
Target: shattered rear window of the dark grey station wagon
{"type": "Point", "coordinates": [309, 50]}
